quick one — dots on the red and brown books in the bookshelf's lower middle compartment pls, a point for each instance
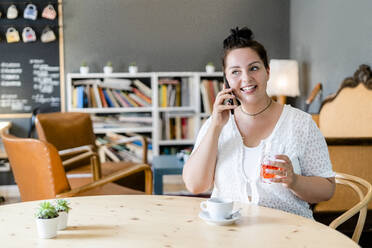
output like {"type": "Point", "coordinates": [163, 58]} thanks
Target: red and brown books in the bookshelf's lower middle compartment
{"type": "Point", "coordinates": [176, 127]}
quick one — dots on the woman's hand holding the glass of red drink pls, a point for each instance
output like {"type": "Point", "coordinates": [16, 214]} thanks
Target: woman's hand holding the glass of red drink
{"type": "Point", "coordinates": [285, 175]}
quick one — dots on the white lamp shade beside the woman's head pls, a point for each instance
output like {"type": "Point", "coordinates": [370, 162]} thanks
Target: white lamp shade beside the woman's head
{"type": "Point", "coordinates": [283, 78]}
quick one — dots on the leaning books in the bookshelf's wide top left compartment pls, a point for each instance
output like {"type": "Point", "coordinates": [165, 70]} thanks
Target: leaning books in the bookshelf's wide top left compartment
{"type": "Point", "coordinates": [110, 93]}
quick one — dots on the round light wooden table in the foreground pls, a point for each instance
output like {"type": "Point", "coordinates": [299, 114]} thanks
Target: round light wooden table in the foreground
{"type": "Point", "coordinates": [163, 221]}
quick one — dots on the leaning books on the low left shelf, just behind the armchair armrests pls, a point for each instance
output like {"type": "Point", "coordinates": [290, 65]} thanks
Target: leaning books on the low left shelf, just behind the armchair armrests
{"type": "Point", "coordinates": [120, 150]}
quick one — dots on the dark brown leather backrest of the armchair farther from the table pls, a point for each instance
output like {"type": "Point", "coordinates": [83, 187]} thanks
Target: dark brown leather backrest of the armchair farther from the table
{"type": "Point", "coordinates": [65, 129]}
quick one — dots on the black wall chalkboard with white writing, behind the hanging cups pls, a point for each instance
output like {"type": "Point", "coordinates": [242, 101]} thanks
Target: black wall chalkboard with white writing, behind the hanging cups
{"type": "Point", "coordinates": [29, 72]}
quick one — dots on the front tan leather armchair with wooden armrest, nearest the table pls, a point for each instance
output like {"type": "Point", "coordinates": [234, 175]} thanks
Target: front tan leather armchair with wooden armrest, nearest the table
{"type": "Point", "coordinates": [39, 173]}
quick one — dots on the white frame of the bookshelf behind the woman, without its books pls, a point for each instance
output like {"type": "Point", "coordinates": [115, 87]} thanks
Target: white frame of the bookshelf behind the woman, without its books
{"type": "Point", "coordinates": [193, 110]}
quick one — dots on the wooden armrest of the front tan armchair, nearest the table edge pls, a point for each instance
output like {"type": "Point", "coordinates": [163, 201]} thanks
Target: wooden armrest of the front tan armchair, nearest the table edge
{"type": "Point", "coordinates": [114, 177]}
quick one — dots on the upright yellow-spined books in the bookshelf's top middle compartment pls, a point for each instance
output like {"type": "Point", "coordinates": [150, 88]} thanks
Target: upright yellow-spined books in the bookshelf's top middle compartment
{"type": "Point", "coordinates": [174, 92]}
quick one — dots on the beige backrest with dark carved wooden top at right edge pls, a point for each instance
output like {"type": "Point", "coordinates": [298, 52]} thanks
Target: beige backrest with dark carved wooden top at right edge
{"type": "Point", "coordinates": [347, 113]}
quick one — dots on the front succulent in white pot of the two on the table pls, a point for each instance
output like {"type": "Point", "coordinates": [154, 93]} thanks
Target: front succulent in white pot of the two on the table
{"type": "Point", "coordinates": [47, 220]}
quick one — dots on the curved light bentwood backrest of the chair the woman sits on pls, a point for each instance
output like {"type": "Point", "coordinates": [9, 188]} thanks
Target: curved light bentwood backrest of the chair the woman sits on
{"type": "Point", "coordinates": [356, 184]}
